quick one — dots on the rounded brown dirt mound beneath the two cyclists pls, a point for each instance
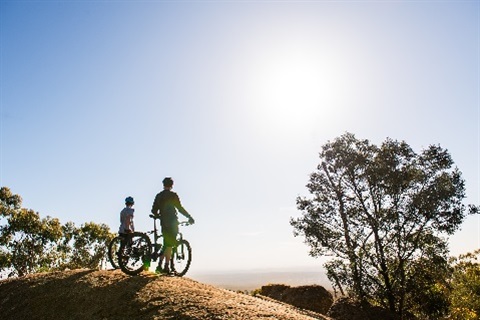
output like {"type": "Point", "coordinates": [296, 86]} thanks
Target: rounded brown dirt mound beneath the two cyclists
{"type": "Point", "coordinates": [89, 294]}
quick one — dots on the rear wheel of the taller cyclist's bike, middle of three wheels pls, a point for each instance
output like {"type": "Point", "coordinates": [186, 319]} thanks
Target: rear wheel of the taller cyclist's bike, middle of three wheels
{"type": "Point", "coordinates": [135, 251]}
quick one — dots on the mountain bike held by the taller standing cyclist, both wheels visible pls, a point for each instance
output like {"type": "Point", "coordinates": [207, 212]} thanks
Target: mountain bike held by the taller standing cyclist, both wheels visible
{"type": "Point", "coordinates": [137, 251]}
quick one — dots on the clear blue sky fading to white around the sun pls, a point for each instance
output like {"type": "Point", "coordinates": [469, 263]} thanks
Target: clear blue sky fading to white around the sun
{"type": "Point", "coordinates": [100, 100]}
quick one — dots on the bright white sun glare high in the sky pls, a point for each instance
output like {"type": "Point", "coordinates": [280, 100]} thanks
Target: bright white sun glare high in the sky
{"type": "Point", "coordinates": [294, 89]}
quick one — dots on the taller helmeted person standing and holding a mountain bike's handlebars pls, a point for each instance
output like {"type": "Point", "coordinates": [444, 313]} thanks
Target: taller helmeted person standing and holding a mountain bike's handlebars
{"type": "Point", "coordinates": [165, 207]}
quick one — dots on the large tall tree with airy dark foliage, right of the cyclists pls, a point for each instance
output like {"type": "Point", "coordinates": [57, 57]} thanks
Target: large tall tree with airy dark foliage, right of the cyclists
{"type": "Point", "coordinates": [383, 213]}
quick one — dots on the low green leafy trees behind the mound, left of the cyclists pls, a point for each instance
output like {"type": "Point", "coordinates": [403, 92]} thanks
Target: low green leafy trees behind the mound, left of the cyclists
{"type": "Point", "coordinates": [30, 244]}
